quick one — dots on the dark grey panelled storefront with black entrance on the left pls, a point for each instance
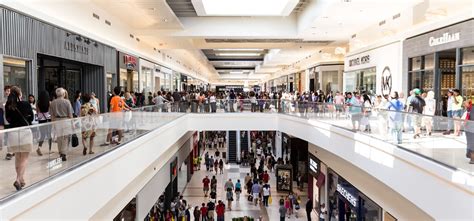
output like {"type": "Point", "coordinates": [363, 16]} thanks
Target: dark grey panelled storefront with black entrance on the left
{"type": "Point", "coordinates": [54, 58]}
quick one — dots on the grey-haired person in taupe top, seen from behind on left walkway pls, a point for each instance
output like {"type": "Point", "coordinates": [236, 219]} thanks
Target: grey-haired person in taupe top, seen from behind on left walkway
{"type": "Point", "coordinates": [60, 110]}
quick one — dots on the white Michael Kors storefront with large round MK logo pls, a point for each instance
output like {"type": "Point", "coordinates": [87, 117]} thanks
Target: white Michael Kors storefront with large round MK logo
{"type": "Point", "coordinates": [375, 71]}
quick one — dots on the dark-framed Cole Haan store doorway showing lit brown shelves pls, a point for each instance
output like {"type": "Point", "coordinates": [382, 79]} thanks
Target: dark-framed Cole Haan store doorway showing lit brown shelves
{"type": "Point", "coordinates": [447, 69]}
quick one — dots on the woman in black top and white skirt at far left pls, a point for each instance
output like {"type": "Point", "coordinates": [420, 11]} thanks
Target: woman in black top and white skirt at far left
{"type": "Point", "coordinates": [19, 114]}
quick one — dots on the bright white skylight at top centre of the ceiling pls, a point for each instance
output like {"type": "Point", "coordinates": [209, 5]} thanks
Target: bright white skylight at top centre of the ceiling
{"type": "Point", "coordinates": [244, 7]}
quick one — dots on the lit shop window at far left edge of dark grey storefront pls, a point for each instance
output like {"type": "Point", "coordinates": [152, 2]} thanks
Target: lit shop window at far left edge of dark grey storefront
{"type": "Point", "coordinates": [14, 73]}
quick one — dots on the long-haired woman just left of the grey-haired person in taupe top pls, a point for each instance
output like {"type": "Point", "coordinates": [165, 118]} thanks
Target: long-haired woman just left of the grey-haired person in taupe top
{"type": "Point", "coordinates": [42, 109]}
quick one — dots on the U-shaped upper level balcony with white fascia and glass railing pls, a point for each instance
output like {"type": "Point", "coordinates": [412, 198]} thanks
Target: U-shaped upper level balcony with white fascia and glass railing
{"type": "Point", "coordinates": [415, 169]}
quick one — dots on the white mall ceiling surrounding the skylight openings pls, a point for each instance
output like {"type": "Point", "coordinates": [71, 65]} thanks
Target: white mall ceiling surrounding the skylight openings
{"type": "Point", "coordinates": [334, 21]}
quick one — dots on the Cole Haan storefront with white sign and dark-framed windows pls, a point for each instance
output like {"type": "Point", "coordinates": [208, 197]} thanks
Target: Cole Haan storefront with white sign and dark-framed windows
{"type": "Point", "coordinates": [441, 60]}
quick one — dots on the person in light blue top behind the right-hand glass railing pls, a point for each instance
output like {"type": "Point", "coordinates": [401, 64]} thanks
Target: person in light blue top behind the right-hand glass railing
{"type": "Point", "coordinates": [395, 117]}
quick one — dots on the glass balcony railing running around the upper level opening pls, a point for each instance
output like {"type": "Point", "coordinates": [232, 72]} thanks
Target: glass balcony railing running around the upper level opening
{"type": "Point", "coordinates": [419, 134]}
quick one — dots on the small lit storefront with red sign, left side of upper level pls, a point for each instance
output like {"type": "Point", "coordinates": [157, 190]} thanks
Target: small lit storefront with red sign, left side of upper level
{"type": "Point", "coordinates": [128, 71]}
